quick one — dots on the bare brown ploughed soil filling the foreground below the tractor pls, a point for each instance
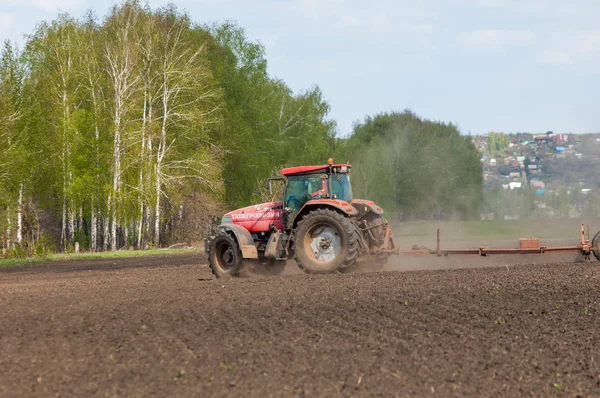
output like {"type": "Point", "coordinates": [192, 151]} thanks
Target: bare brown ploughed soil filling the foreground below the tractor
{"type": "Point", "coordinates": [164, 327]}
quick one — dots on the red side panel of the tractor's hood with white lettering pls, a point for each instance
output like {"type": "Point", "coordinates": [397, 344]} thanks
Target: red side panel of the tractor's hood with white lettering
{"type": "Point", "coordinates": [258, 218]}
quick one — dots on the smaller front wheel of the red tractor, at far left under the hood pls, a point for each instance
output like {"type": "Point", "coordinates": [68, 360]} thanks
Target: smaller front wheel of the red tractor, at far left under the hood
{"type": "Point", "coordinates": [225, 256]}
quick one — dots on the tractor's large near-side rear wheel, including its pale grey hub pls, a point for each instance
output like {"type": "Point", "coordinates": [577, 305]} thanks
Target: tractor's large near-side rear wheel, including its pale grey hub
{"type": "Point", "coordinates": [325, 241]}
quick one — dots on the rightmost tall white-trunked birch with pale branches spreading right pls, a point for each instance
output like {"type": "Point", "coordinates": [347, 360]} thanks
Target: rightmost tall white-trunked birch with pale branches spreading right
{"type": "Point", "coordinates": [187, 98]}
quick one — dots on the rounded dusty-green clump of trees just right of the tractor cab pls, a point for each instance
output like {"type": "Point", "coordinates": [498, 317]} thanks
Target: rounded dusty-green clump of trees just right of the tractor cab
{"type": "Point", "coordinates": [417, 168]}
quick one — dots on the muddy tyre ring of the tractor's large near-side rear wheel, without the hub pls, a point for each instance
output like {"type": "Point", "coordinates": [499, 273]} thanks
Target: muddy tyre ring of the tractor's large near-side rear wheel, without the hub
{"type": "Point", "coordinates": [343, 227]}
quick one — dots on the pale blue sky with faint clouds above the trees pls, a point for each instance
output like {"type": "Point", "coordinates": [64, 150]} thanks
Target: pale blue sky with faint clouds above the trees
{"type": "Point", "coordinates": [485, 65]}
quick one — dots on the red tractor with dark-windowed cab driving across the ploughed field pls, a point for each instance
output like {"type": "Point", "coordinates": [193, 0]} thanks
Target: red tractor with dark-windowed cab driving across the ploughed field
{"type": "Point", "coordinates": [318, 224]}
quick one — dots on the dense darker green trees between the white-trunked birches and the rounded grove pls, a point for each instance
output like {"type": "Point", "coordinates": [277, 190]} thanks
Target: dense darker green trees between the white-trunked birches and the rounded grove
{"type": "Point", "coordinates": [266, 125]}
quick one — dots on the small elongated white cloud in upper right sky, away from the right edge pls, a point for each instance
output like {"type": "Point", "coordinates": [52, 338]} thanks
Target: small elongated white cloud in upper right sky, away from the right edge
{"type": "Point", "coordinates": [492, 39]}
